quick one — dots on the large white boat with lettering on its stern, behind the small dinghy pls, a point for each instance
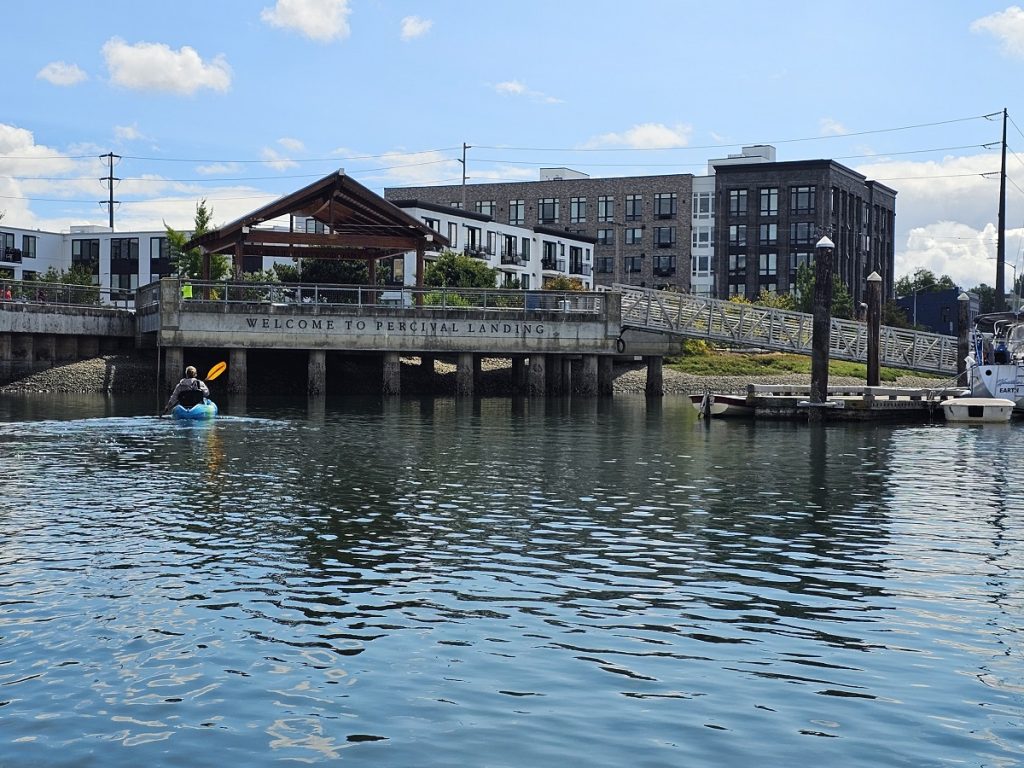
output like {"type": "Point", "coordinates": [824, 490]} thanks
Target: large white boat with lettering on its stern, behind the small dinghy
{"type": "Point", "coordinates": [997, 362]}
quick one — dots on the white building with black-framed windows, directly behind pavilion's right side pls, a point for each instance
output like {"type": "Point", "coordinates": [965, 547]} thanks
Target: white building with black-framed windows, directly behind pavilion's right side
{"type": "Point", "coordinates": [526, 258]}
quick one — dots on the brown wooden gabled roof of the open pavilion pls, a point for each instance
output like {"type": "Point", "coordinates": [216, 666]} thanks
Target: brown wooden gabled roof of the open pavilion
{"type": "Point", "coordinates": [360, 225]}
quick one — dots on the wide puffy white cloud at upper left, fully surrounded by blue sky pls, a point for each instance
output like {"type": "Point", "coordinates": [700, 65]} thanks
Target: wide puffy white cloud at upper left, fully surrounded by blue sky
{"type": "Point", "coordinates": [157, 67]}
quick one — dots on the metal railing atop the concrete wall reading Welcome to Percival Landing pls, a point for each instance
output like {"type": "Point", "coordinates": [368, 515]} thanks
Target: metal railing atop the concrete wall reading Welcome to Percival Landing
{"type": "Point", "coordinates": [320, 297]}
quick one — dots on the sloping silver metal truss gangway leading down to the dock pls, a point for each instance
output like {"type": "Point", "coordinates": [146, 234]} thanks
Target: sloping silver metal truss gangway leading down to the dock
{"type": "Point", "coordinates": [779, 330]}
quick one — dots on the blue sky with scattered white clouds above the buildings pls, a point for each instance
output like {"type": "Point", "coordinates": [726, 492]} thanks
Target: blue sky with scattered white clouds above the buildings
{"type": "Point", "coordinates": [240, 102]}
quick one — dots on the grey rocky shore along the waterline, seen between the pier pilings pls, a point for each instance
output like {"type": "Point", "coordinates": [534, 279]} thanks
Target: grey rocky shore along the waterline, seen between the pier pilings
{"type": "Point", "coordinates": [132, 374]}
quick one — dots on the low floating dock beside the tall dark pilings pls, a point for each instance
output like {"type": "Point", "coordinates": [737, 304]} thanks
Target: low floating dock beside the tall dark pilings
{"type": "Point", "coordinates": [850, 403]}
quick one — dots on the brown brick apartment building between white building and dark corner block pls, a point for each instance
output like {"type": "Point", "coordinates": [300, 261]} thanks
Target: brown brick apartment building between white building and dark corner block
{"type": "Point", "coordinates": [641, 226]}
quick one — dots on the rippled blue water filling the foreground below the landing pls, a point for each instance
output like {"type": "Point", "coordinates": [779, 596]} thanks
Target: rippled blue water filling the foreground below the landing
{"type": "Point", "coordinates": [506, 583]}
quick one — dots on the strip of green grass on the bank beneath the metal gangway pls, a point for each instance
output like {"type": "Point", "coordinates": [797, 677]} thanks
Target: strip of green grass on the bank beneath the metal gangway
{"type": "Point", "coordinates": [700, 363]}
